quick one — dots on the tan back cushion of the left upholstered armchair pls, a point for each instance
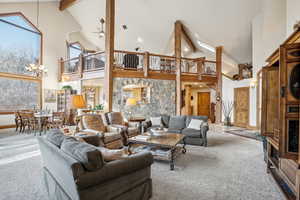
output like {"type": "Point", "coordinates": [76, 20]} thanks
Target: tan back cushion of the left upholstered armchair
{"type": "Point", "coordinates": [93, 122]}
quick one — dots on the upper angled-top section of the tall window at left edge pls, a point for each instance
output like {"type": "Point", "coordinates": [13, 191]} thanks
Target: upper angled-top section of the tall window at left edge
{"type": "Point", "coordinates": [20, 44]}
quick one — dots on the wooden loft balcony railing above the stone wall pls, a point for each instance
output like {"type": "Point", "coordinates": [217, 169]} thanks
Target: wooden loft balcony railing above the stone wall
{"type": "Point", "coordinates": [137, 65]}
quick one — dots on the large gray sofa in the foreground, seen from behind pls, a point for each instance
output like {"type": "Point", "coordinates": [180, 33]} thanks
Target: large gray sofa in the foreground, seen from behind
{"type": "Point", "coordinates": [76, 171]}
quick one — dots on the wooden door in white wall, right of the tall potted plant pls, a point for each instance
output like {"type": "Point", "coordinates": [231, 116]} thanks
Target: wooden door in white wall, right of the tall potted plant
{"type": "Point", "coordinates": [241, 108]}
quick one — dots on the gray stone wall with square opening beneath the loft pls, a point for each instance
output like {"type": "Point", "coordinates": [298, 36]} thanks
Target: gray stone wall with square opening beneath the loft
{"type": "Point", "coordinates": [162, 97]}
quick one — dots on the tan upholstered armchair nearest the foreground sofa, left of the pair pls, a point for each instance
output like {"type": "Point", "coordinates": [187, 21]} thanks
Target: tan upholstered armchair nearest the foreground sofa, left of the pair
{"type": "Point", "coordinates": [110, 136]}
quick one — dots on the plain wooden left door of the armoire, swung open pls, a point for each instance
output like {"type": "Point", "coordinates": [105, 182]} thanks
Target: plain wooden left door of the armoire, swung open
{"type": "Point", "coordinates": [270, 103]}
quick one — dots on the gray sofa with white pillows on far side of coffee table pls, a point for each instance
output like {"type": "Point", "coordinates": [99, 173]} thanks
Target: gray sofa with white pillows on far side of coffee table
{"type": "Point", "coordinates": [179, 124]}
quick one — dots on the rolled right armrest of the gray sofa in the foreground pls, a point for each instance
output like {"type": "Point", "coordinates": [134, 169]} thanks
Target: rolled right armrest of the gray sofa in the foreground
{"type": "Point", "coordinates": [115, 169]}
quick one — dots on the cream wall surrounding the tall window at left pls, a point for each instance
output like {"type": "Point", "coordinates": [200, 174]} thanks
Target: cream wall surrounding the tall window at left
{"type": "Point", "coordinates": [55, 26]}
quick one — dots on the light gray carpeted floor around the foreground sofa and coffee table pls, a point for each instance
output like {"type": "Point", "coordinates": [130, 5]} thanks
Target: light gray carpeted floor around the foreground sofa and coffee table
{"type": "Point", "coordinates": [230, 168]}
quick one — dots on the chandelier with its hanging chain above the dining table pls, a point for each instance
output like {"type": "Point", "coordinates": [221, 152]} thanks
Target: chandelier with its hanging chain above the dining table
{"type": "Point", "coordinates": [36, 68]}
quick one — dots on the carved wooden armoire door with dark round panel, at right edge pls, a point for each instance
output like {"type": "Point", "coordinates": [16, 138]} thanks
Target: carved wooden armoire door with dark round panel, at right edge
{"type": "Point", "coordinates": [289, 100]}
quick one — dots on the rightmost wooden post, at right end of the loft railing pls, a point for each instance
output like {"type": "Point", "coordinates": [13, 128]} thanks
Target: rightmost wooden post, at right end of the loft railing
{"type": "Point", "coordinates": [219, 84]}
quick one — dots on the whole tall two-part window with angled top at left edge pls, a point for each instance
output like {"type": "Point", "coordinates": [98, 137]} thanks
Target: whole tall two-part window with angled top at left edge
{"type": "Point", "coordinates": [20, 45]}
